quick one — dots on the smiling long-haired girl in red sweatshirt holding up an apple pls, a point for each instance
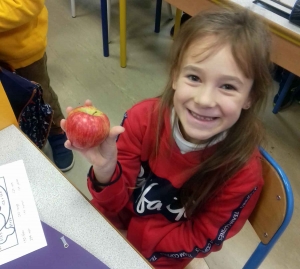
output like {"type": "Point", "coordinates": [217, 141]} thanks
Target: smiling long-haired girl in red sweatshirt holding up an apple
{"type": "Point", "coordinates": [185, 172]}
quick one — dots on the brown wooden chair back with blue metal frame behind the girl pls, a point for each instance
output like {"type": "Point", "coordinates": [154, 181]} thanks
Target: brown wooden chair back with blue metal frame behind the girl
{"type": "Point", "coordinates": [273, 211]}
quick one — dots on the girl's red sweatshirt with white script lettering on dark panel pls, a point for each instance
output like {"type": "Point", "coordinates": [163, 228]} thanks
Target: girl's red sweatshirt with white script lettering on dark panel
{"type": "Point", "coordinates": [145, 196]}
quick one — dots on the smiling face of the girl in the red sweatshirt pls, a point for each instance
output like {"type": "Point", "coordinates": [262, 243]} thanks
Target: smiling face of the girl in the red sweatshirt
{"type": "Point", "coordinates": [210, 92]}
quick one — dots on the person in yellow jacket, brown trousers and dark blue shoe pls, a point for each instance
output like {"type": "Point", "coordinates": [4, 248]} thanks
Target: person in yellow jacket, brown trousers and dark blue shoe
{"type": "Point", "coordinates": [23, 41]}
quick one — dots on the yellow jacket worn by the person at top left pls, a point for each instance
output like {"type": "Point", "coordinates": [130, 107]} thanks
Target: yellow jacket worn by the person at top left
{"type": "Point", "coordinates": [23, 31]}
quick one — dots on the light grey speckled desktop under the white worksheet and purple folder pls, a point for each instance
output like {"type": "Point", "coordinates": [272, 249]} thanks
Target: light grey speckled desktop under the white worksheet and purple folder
{"type": "Point", "coordinates": [61, 206]}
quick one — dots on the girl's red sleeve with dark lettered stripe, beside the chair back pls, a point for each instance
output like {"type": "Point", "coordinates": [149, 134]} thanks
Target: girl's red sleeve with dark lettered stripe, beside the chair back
{"type": "Point", "coordinates": [222, 218]}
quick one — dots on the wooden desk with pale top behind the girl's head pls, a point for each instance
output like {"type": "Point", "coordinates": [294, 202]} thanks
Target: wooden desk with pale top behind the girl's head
{"type": "Point", "coordinates": [285, 35]}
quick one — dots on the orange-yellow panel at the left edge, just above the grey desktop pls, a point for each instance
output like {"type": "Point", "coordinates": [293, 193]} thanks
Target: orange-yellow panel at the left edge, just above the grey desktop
{"type": "Point", "coordinates": [7, 116]}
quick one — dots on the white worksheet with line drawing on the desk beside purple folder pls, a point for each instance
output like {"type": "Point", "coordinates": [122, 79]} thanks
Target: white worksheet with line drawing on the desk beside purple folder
{"type": "Point", "coordinates": [21, 231]}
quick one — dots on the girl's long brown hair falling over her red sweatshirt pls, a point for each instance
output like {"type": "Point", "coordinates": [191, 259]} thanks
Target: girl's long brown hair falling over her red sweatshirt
{"type": "Point", "coordinates": [250, 44]}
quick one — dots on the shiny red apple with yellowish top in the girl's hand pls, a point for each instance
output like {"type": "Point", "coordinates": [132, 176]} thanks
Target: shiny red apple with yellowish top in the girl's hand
{"type": "Point", "coordinates": [87, 127]}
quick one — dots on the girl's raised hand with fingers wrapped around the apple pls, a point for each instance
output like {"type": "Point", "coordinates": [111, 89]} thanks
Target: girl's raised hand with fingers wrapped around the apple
{"type": "Point", "coordinates": [104, 156]}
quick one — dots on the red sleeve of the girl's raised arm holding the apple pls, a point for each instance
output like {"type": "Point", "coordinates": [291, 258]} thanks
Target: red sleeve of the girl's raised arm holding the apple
{"type": "Point", "coordinates": [114, 197]}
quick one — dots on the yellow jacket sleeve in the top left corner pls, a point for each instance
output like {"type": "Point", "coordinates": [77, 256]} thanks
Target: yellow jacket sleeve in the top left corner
{"type": "Point", "coordinates": [14, 13]}
